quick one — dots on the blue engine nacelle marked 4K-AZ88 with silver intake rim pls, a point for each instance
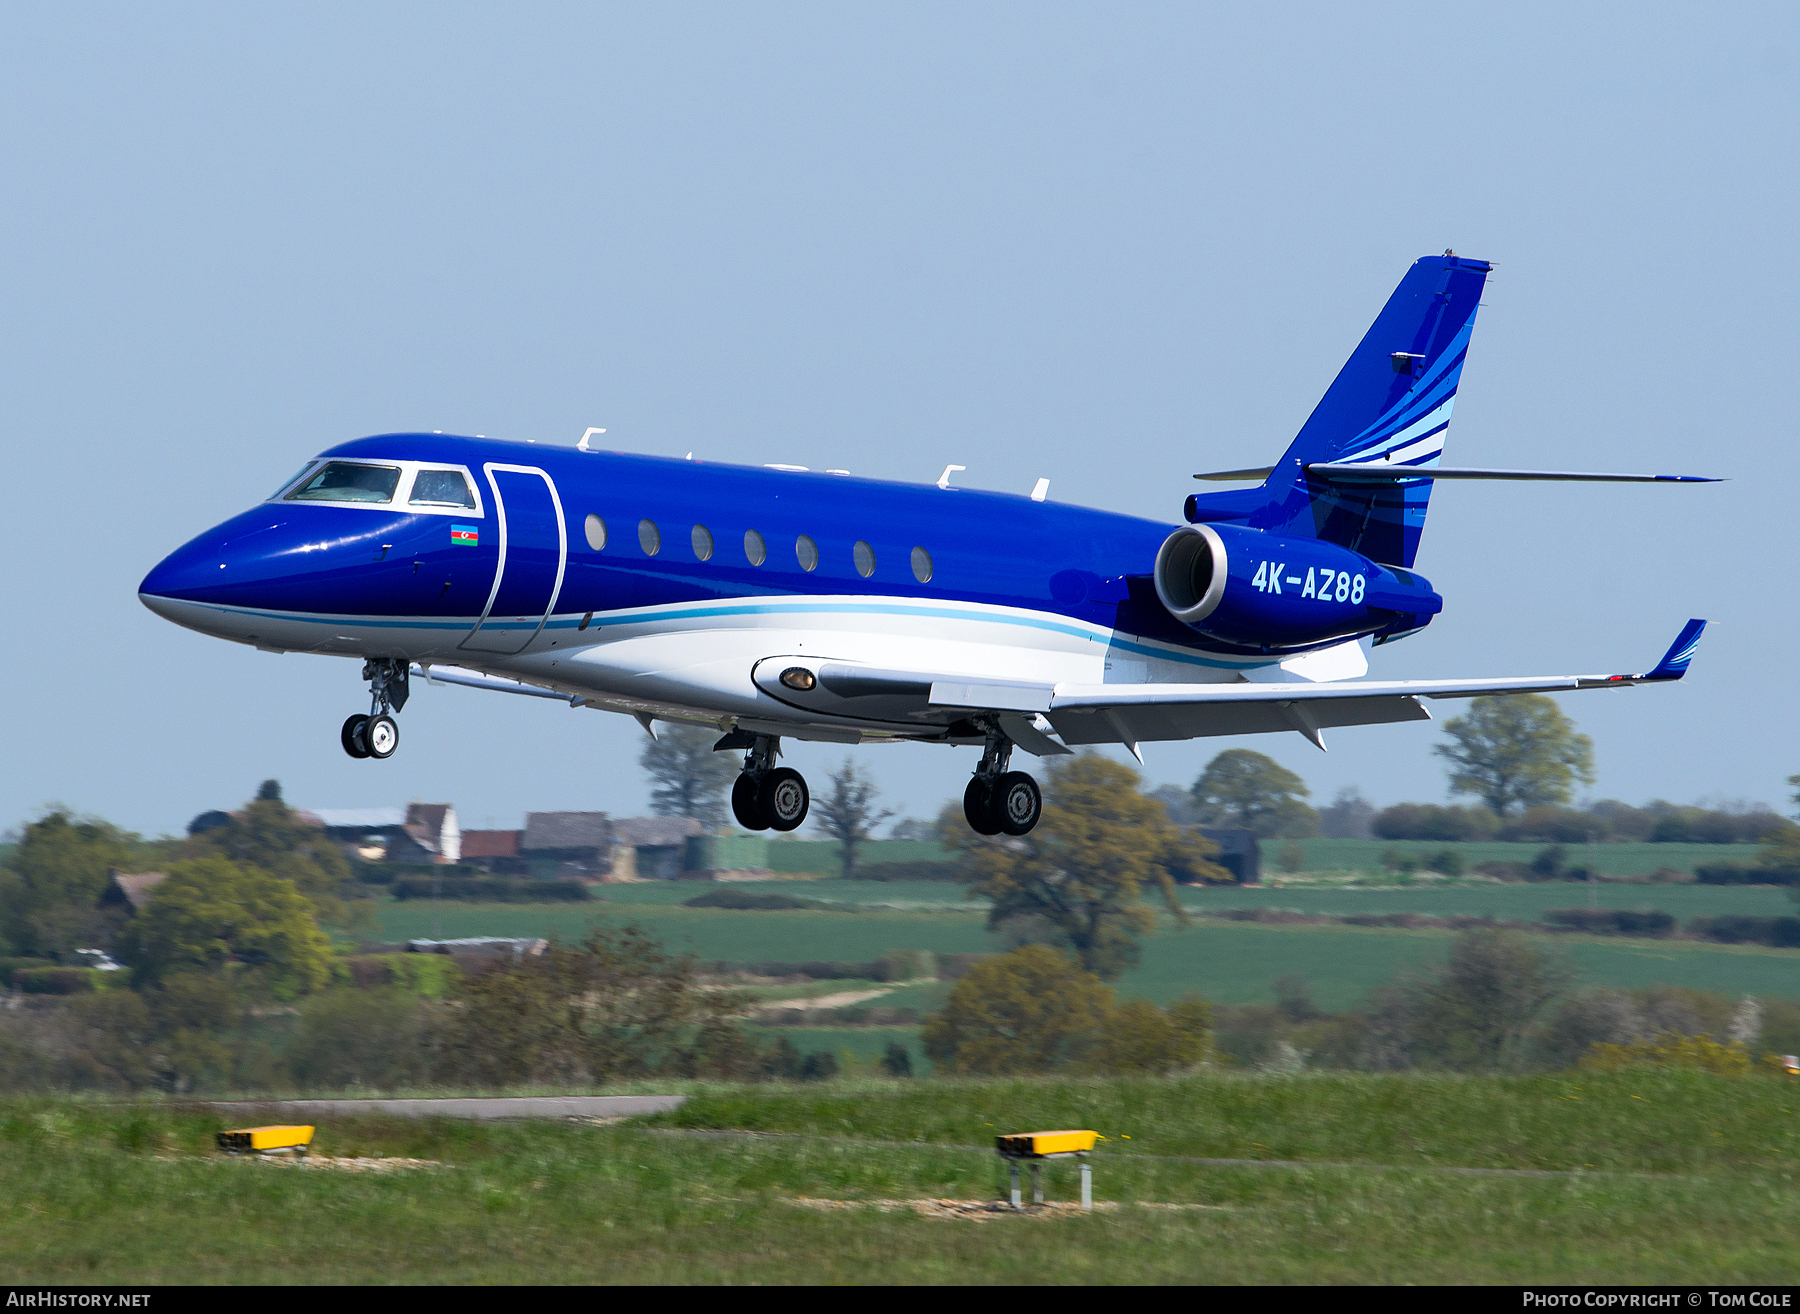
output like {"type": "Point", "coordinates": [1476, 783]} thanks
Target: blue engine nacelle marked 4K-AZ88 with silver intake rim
{"type": "Point", "coordinates": [1275, 593]}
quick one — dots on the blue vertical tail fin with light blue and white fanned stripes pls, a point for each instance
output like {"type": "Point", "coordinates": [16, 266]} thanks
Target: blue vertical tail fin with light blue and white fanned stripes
{"type": "Point", "coordinates": [1389, 404]}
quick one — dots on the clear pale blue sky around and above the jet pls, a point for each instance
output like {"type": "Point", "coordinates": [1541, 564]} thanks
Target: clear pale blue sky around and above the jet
{"type": "Point", "coordinates": [1102, 244]}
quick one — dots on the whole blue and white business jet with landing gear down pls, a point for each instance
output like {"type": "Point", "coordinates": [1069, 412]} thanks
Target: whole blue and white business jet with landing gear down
{"type": "Point", "coordinates": [780, 602]}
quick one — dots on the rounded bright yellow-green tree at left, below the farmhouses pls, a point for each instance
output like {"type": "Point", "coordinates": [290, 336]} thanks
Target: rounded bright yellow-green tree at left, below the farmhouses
{"type": "Point", "coordinates": [213, 913]}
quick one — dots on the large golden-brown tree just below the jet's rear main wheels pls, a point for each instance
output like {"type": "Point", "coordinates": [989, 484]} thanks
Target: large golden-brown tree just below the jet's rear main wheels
{"type": "Point", "coordinates": [1081, 874]}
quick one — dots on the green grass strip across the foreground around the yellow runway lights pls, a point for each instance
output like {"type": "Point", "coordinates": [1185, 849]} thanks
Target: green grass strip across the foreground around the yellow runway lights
{"type": "Point", "coordinates": [1659, 1180]}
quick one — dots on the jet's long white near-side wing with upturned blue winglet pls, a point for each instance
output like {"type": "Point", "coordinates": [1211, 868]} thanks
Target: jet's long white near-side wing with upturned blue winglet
{"type": "Point", "coordinates": [1133, 714]}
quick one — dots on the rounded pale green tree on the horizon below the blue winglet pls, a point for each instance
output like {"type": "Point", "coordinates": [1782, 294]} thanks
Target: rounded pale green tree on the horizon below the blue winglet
{"type": "Point", "coordinates": [1516, 751]}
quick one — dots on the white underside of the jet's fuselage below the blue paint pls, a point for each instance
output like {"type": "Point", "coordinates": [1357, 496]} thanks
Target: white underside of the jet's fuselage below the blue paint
{"type": "Point", "coordinates": [696, 661]}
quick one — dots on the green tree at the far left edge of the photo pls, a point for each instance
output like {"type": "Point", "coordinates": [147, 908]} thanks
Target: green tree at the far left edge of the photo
{"type": "Point", "coordinates": [53, 881]}
